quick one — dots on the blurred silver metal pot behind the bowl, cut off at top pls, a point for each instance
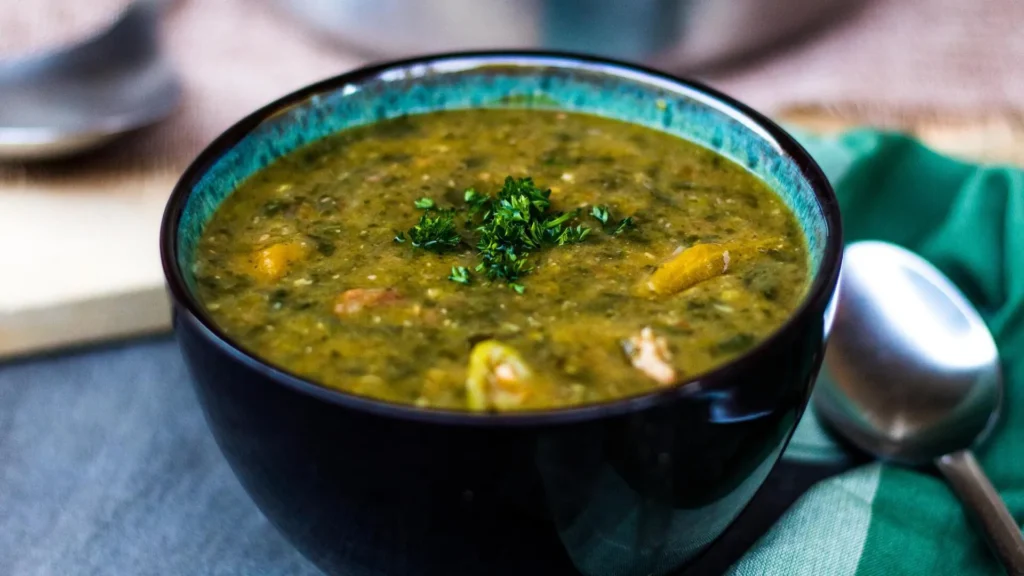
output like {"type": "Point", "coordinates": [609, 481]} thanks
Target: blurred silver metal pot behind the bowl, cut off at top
{"type": "Point", "coordinates": [674, 34]}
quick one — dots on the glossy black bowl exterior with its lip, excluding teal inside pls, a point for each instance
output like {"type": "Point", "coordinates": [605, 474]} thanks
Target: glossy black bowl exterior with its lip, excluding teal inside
{"type": "Point", "coordinates": [639, 486]}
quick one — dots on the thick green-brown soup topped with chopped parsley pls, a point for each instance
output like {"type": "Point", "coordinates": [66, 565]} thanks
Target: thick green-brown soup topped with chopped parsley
{"type": "Point", "coordinates": [362, 262]}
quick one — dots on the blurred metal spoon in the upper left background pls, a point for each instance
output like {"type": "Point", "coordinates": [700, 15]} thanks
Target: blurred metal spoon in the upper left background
{"type": "Point", "coordinates": [75, 99]}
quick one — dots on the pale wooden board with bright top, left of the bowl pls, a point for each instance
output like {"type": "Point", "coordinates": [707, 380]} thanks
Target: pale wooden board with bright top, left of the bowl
{"type": "Point", "coordinates": [81, 261]}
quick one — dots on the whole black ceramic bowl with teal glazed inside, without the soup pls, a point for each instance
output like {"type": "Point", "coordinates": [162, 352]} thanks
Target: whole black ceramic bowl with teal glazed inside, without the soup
{"type": "Point", "coordinates": [637, 486]}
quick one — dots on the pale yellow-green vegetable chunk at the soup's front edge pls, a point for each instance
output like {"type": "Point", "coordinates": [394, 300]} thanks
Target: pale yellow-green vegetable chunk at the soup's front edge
{"type": "Point", "coordinates": [498, 378]}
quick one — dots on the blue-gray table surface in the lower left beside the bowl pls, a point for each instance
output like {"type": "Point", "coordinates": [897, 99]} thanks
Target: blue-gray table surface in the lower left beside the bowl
{"type": "Point", "coordinates": [107, 468]}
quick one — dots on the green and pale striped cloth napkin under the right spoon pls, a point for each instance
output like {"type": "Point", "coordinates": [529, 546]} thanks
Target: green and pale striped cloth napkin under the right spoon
{"type": "Point", "coordinates": [879, 519]}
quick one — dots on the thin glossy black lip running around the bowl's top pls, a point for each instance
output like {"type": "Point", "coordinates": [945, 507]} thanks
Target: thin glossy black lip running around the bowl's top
{"type": "Point", "coordinates": [188, 308]}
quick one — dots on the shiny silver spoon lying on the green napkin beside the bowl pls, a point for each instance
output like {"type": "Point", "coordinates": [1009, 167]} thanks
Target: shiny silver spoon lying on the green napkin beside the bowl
{"type": "Point", "coordinates": [915, 379]}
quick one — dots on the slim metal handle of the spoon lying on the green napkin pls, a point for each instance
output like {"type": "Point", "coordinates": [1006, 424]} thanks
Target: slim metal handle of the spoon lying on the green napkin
{"type": "Point", "coordinates": [987, 508]}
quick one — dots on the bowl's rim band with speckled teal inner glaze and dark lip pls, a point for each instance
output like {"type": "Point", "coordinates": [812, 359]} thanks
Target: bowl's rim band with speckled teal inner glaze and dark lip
{"type": "Point", "coordinates": [503, 79]}
